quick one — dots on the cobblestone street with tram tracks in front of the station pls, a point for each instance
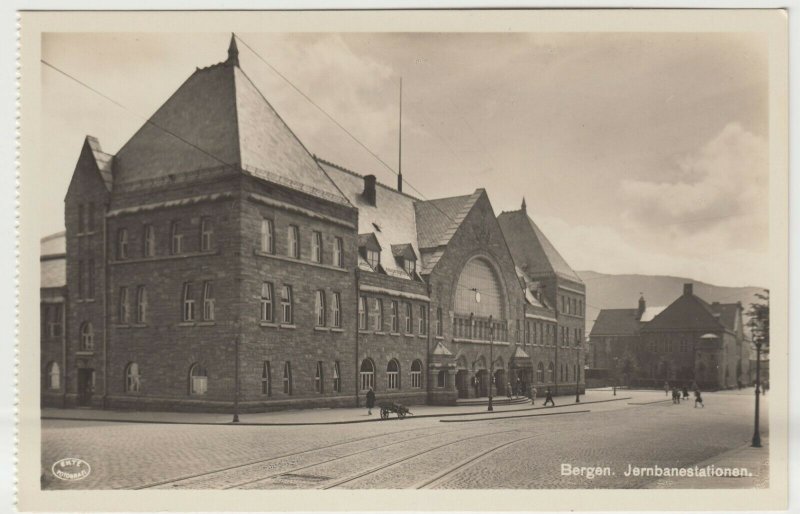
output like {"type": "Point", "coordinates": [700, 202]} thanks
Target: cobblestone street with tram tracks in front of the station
{"type": "Point", "coordinates": [518, 448]}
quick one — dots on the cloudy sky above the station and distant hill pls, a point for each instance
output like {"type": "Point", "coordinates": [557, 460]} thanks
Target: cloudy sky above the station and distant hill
{"type": "Point", "coordinates": [636, 152]}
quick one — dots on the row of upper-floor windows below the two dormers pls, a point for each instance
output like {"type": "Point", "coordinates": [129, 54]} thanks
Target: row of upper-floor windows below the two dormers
{"type": "Point", "coordinates": [371, 316]}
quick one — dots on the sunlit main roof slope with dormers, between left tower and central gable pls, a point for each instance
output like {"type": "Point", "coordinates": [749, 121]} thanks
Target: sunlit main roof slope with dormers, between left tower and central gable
{"type": "Point", "coordinates": [392, 220]}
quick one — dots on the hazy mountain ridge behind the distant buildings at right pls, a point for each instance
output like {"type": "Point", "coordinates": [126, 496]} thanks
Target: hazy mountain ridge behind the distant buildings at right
{"type": "Point", "coordinates": [622, 292]}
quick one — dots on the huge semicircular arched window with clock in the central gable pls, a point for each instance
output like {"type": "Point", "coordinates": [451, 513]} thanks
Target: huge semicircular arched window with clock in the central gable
{"type": "Point", "coordinates": [479, 276]}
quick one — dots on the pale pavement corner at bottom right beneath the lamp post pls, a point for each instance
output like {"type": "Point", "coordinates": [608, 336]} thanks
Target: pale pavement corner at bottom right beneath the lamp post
{"type": "Point", "coordinates": [753, 461]}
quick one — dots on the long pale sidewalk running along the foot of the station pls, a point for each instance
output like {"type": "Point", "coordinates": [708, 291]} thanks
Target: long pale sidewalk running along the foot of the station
{"type": "Point", "coordinates": [325, 416]}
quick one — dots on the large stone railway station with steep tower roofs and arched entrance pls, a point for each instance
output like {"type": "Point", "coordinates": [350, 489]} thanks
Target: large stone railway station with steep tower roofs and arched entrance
{"type": "Point", "coordinates": [214, 264]}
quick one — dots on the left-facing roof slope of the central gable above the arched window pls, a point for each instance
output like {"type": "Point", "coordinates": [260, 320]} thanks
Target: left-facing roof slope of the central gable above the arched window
{"type": "Point", "coordinates": [438, 220]}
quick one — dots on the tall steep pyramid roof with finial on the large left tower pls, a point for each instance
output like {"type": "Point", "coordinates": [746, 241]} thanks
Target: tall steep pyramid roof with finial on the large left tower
{"type": "Point", "coordinates": [218, 119]}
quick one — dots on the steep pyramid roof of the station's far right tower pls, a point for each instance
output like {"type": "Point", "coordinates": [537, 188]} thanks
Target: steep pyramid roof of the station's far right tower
{"type": "Point", "coordinates": [531, 249]}
